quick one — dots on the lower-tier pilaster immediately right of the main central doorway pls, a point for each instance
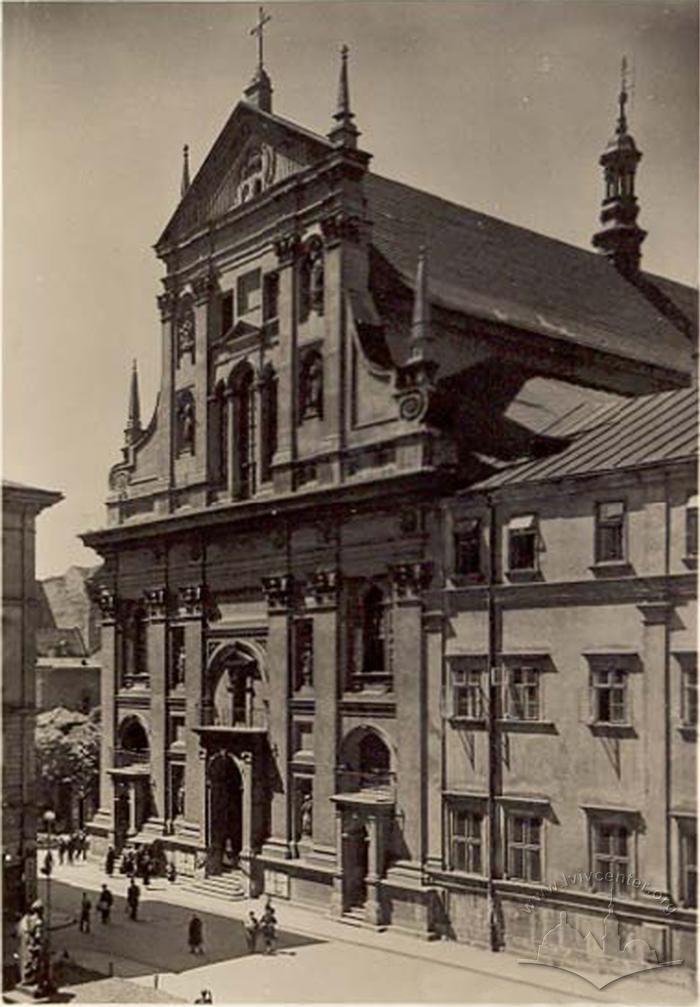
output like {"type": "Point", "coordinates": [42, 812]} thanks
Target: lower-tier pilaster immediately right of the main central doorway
{"type": "Point", "coordinates": [279, 592]}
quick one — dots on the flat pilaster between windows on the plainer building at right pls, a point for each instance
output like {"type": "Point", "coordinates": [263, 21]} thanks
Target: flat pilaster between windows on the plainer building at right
{"type": "Point", "coordinates": [655, 746]}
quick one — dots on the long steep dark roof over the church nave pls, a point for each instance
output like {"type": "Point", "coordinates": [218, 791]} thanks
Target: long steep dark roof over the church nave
{"type": "Point", "coordinates": [494, 270]}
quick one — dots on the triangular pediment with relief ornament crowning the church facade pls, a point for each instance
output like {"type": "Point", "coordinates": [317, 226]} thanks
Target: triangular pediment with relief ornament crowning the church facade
{"type": "Point", "coordinates": [254, 152]}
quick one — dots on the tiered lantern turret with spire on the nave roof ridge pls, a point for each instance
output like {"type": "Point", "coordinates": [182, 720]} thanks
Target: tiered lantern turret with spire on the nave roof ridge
{"type": "Point", "coordinates": [620, 238]}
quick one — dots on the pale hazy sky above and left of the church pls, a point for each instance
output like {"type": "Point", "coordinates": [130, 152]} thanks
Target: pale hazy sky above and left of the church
{"type": "Point", "coordinates": [504, 107]}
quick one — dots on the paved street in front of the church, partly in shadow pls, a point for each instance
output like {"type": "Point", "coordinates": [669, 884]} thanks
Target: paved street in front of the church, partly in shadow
{"type": "Point", "coordinates": [319, 959]}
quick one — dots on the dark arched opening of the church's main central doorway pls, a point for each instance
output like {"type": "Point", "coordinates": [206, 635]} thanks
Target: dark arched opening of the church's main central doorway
{"type": "Point", "coordinates": [225, 813]}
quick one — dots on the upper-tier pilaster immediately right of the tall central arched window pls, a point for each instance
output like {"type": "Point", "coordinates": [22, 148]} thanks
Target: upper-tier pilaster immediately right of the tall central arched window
{"type": "Point", "coordinates": [287, 249]}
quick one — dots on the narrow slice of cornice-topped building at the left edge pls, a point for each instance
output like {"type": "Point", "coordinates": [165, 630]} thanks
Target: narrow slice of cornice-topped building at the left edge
{"type": "Point", "coordinates": [21, 507]}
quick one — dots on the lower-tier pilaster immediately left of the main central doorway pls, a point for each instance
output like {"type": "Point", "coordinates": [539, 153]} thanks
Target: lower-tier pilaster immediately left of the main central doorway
{"type": "Point", "coordinates": [193, 612]}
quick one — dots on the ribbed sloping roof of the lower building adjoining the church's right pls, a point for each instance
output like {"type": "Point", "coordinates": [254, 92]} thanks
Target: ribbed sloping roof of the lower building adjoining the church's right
{"type": "Point", "coordinates": [653, 429]}
